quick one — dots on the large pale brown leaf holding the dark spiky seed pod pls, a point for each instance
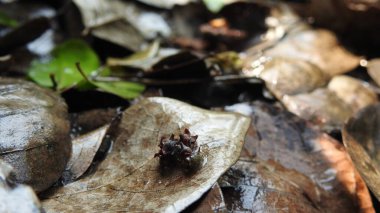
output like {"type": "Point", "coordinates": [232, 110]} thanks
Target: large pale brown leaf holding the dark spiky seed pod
{"type": "Point", "coordinates": [132, 179]}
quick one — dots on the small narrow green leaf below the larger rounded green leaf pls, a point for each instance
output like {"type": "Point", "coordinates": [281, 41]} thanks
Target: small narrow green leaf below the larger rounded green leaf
{"type": "Point", "coordinates": [127, 90]}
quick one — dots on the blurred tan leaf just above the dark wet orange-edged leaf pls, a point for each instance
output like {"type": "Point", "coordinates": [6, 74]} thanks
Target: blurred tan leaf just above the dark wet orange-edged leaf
{"type": "Point", "coordinates": [330, 108]}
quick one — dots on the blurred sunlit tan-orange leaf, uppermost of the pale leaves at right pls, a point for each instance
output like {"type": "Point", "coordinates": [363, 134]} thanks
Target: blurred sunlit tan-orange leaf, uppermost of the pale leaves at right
{"type": "Point", "coordinates": [319, 47]}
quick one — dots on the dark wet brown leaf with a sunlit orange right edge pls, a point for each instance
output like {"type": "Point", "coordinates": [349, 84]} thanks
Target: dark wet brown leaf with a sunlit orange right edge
{"type": "Point", "coordinates": [279, 136]}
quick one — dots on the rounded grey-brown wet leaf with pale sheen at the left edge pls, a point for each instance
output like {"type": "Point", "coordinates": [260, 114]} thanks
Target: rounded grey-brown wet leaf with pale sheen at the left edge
{"type": "Point", "coordinates": [34, 132]}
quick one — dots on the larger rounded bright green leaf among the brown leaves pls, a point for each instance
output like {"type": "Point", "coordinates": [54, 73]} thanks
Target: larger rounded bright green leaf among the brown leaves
{"type": "Point", "coordinates": [62, 65]}
